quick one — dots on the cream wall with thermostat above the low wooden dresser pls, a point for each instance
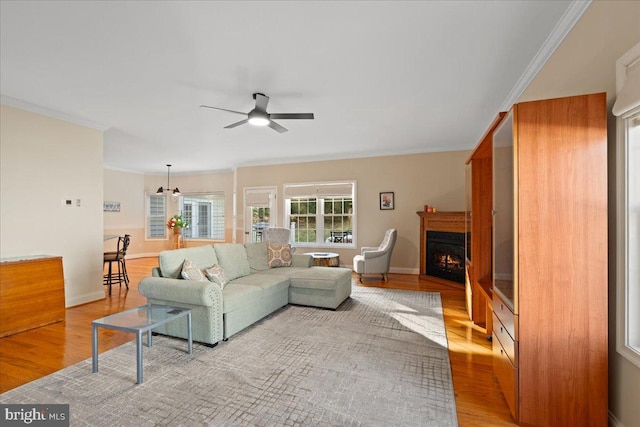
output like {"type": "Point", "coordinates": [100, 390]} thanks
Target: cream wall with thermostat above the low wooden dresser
{"type": "Point", "coordinates": [42, 162]}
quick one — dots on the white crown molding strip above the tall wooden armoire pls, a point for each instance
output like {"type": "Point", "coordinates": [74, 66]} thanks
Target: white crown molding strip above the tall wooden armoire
{"type": "Point", "coordinates": [571, 16]}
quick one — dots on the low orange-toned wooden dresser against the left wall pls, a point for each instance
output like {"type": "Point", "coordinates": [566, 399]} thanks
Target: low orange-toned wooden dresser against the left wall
{"type": "Point", "coordinates": [31, 293]}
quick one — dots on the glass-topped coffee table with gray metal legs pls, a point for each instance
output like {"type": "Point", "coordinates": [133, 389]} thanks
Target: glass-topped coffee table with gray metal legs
{"type": "Point", "coordinates": [140, 320]}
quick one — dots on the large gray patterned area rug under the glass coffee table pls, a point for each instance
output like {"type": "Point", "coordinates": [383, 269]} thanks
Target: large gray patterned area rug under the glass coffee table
{"type": "Point", "coordinates": [380, 359]}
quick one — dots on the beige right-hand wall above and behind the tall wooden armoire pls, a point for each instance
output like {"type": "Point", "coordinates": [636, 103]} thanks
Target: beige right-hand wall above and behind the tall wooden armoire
{"type": "Point", "coordinates": [585, 63]}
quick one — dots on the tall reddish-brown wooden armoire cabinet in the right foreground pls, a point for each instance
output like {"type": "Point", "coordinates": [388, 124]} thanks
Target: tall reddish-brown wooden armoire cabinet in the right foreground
{"type": "Point", "coordinates": [548, 260]}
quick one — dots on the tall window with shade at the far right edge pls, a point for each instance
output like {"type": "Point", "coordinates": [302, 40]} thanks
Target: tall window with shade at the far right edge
{"type": "Point", "coordinates": [627, 108]}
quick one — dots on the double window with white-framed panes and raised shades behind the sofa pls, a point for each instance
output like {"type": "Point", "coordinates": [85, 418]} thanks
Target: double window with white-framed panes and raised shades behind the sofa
{"type": "Point", "coordinates": [321, 214]}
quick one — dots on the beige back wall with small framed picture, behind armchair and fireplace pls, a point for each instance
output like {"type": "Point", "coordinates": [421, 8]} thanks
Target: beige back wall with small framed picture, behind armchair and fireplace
{"type": "Point", "coordinates": [436, 179]}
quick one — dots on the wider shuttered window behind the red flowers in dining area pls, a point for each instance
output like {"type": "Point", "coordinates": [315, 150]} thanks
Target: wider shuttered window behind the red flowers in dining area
{"type": "Point", "coordinates": [205, 215]}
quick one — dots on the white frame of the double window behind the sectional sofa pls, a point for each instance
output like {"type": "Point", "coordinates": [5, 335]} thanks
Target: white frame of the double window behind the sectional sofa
{"type": "Point", "coordinates": [320, 213]}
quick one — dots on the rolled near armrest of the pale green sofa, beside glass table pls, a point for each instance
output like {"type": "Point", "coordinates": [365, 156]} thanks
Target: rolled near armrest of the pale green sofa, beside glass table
{"type": "Point", "coordinates": [181, 291]}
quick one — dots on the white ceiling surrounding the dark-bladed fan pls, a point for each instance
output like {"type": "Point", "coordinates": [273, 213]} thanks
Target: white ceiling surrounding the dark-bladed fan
{"type": "Point", "coordinates": [381, 77]}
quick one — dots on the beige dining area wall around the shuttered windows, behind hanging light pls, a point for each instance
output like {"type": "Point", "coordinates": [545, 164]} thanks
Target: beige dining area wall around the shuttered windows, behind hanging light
{"type": "Point", "coordinates": [130, 188]}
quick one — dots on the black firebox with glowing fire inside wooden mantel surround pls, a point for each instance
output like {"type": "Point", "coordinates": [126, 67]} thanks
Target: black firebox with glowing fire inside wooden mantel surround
{"type": "Point", "coordinates": [445, 255]}
